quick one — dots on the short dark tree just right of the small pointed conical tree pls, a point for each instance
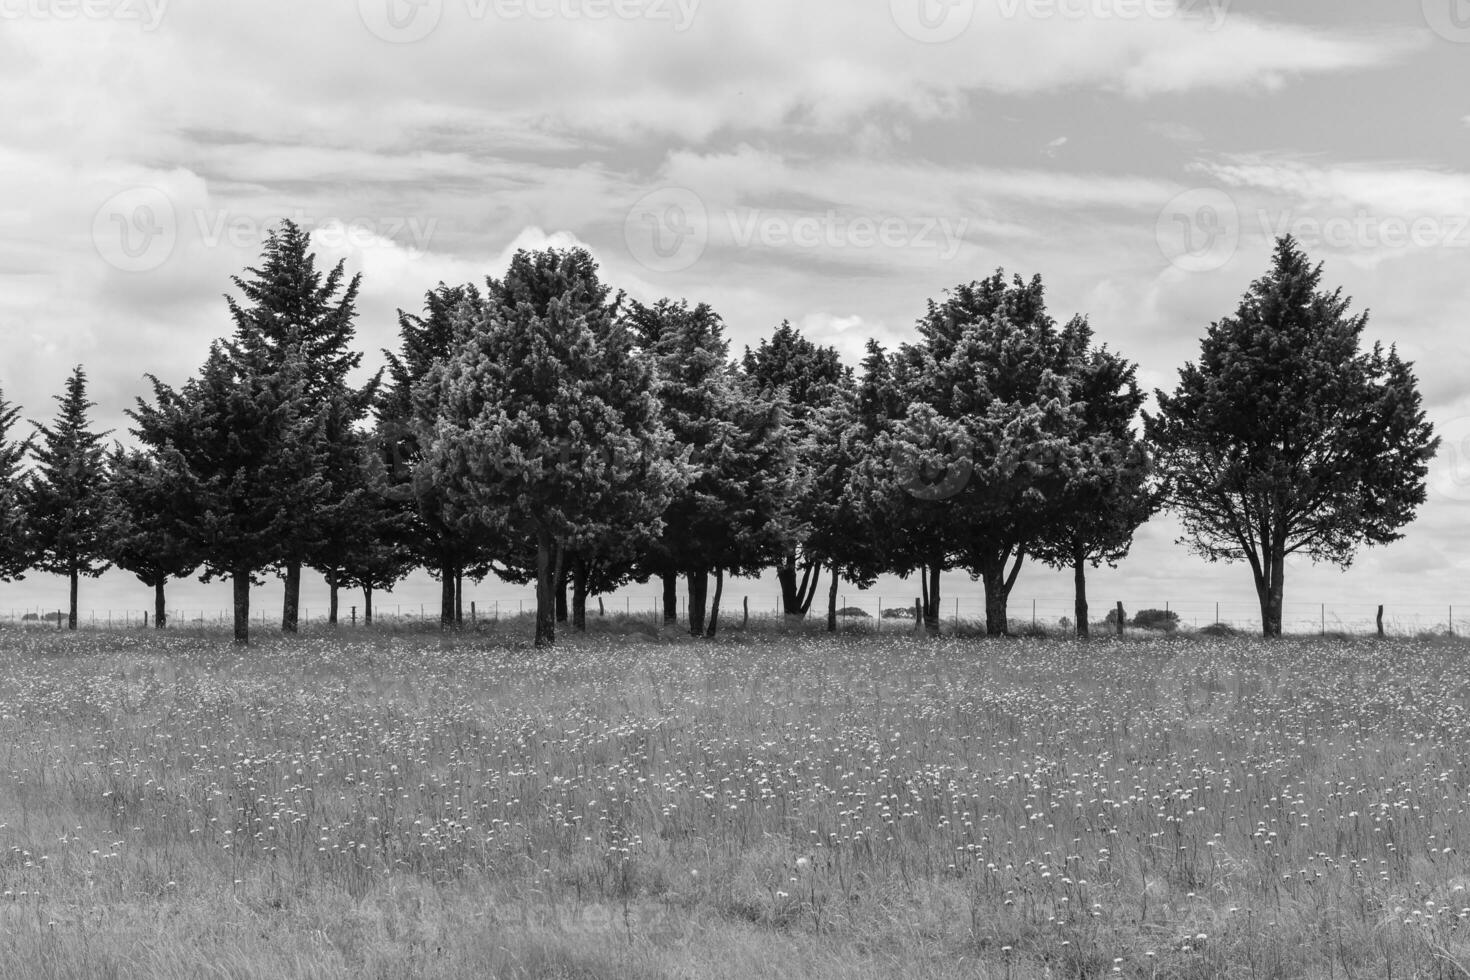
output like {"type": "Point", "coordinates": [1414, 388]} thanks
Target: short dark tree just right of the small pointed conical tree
{"type": "Point", "coordinates": [143, 534]}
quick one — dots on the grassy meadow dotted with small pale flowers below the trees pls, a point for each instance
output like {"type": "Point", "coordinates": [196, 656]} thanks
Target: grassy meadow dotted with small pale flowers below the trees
{"type": "Point", "coordinates": [412, 806]}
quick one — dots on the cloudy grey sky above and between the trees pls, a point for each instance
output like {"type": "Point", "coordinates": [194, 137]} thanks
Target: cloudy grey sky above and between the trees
{"type": "Point", "coordinates": [831, 162]}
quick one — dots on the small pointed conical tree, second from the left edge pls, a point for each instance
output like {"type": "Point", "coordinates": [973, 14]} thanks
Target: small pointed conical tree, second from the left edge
{"type": "Point", "coordinates": [67, 500]}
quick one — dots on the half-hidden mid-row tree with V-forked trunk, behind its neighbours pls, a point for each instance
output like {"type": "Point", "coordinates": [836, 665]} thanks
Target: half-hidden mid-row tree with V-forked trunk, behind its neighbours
{"type": "Point", "coordinates": [811, 378]}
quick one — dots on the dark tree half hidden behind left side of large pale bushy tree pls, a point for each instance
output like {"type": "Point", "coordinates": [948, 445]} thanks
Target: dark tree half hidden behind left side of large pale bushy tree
{"type": "Point", "coordinates": [406, 409]}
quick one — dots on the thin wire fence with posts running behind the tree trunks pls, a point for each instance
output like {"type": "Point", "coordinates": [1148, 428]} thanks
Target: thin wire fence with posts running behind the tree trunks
{"type": "Point", "coordinates": [856, 610]}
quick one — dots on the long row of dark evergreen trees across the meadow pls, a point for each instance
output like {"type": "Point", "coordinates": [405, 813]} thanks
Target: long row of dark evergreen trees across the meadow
{"type": "Point", "coordinates": [545, 428]}
